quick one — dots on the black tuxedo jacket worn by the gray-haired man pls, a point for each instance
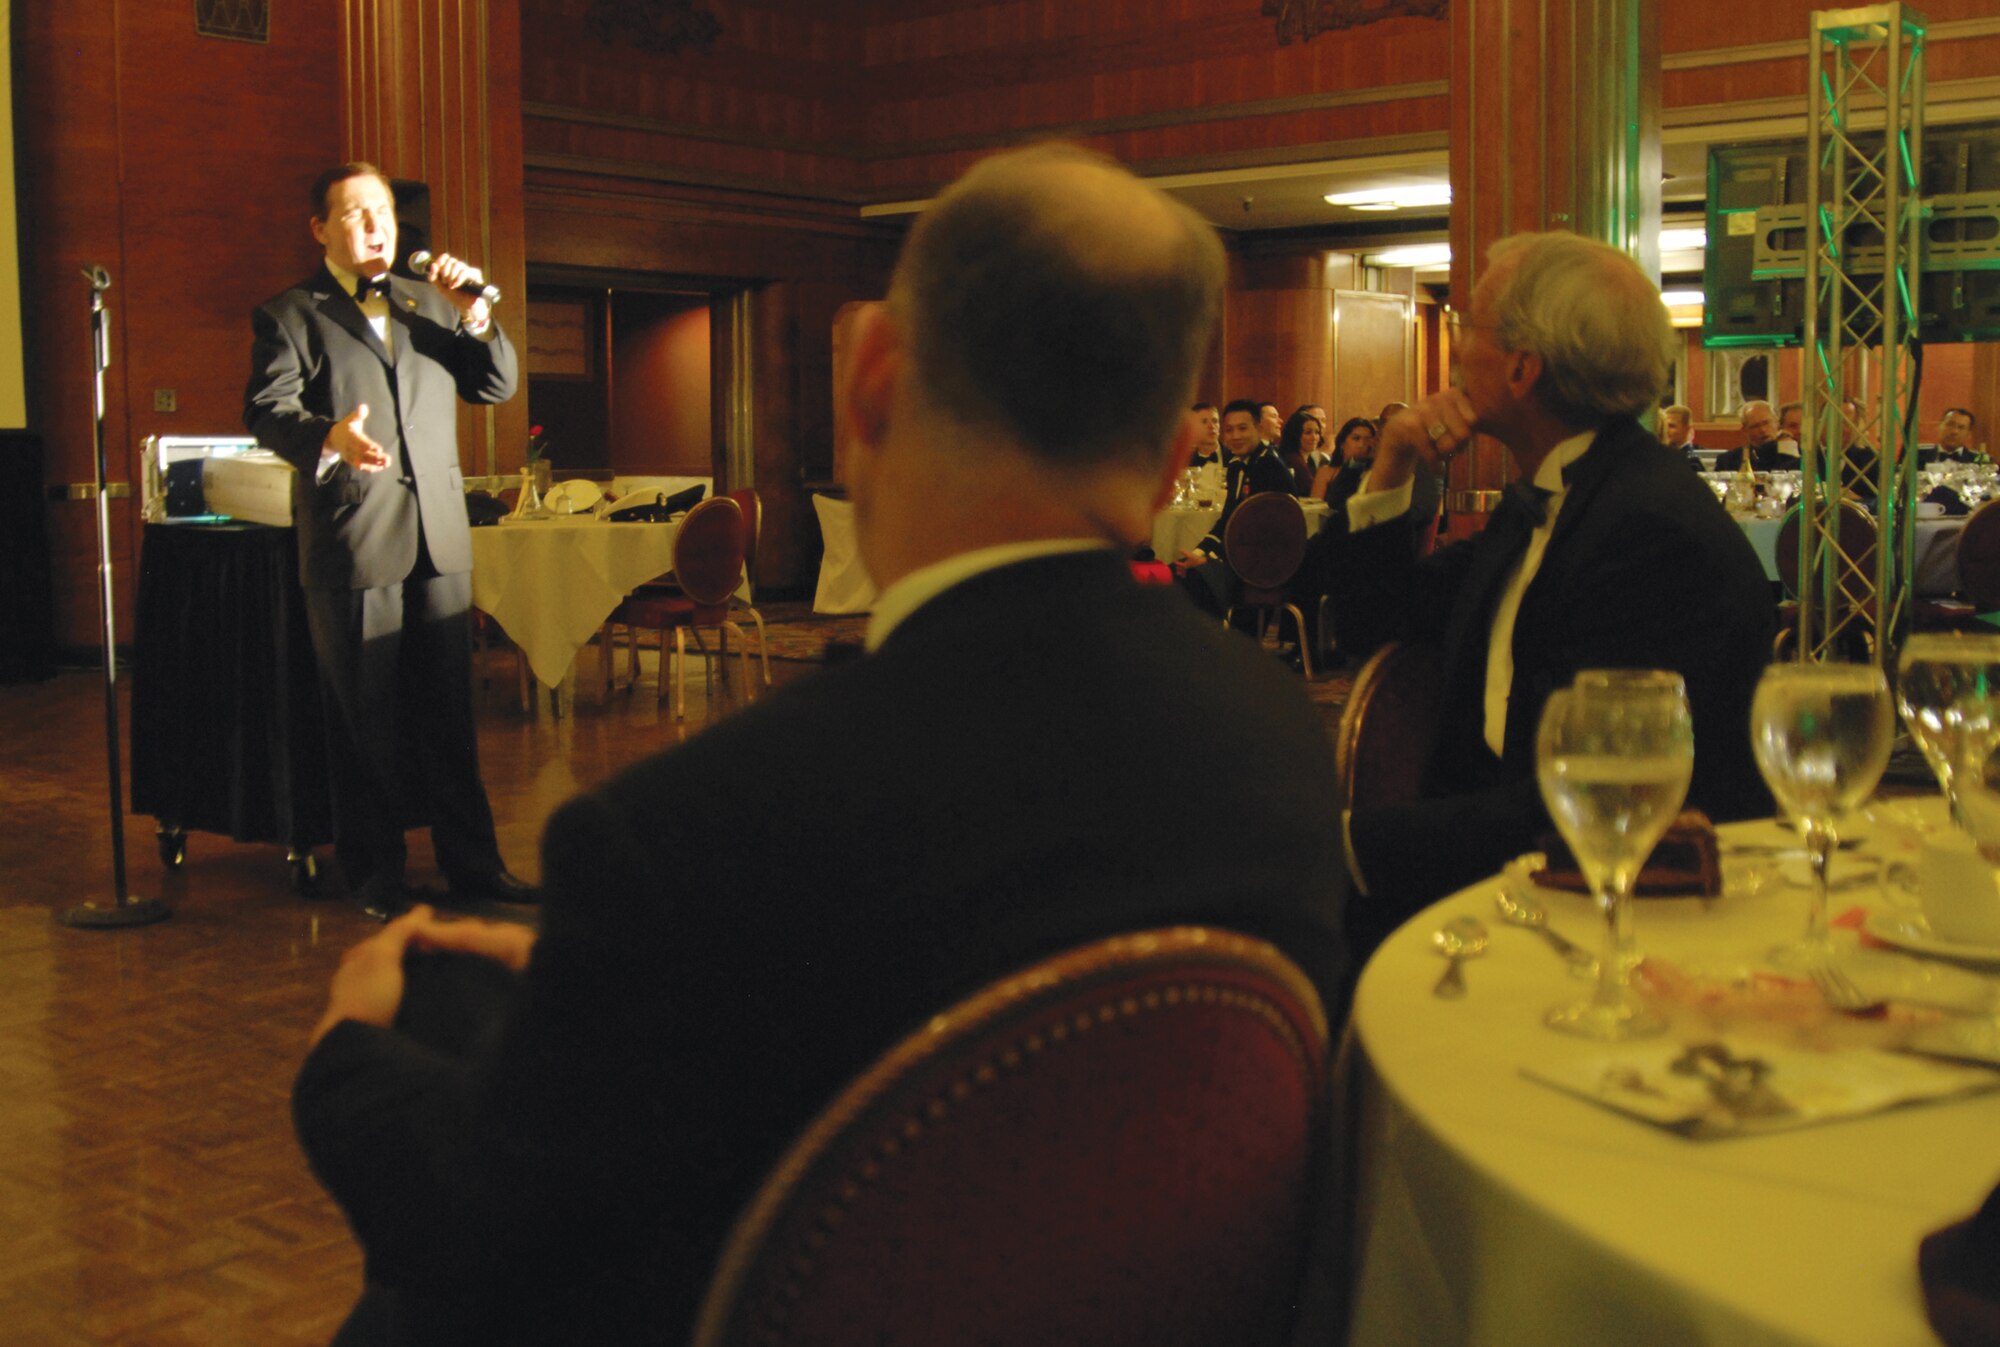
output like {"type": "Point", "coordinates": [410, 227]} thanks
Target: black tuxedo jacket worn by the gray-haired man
{"type": "Point", "coordinates": [1645, 571]}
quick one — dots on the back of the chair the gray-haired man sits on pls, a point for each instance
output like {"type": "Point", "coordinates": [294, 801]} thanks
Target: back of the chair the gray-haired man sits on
{"type": "Point", "coordinates": [1389, 726]}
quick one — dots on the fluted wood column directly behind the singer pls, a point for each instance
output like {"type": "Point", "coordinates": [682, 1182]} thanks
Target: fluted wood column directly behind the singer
{"type": "Point", "coordinates": [431, 91]}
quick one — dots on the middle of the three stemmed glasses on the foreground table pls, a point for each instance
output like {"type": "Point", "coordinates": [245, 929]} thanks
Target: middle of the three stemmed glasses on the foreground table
{"type": "Point", "coordinates": [1821, 734]}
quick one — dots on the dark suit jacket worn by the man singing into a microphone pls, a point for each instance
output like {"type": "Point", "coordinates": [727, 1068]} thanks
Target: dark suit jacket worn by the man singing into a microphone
{"type": "Point", "coordinates": [313, 363]}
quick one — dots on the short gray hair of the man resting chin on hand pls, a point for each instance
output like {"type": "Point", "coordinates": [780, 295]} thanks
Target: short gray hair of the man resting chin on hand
{"type": "Point", "coordinates": [1591, 315]}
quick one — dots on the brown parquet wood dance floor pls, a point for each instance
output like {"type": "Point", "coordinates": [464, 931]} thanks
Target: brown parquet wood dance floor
{"type": "Point", "coordinates": [151, 1190]}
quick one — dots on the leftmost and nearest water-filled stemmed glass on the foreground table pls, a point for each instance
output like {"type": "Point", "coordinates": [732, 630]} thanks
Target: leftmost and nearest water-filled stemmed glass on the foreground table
{"type": "Point", "coordinates": [1613, 758]}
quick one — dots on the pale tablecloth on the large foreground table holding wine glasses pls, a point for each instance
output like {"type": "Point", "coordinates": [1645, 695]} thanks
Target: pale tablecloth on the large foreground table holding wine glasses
{"type": "Point", "coordinates": [1493, 1208]}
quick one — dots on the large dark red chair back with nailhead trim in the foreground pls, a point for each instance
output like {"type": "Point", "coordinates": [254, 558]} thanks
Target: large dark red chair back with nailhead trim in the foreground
{"type": "Point", "coordinates": [1113, 1146]}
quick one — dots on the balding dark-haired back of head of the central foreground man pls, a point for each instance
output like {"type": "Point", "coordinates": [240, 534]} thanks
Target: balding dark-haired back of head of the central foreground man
{"type": "Point", "coordinates": [1055, 301]}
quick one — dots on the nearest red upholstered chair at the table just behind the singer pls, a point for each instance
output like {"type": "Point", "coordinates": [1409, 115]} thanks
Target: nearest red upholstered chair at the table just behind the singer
{"type": "Point", "coordinates": [709, 565]}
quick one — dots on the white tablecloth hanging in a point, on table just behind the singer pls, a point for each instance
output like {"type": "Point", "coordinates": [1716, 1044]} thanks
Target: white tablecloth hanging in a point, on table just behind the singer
{"type": "Point", "coordinates": [553, 583]}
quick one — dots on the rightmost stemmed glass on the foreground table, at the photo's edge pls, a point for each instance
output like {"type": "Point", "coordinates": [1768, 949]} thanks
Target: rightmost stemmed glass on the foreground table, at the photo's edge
{"type": "Point", "coordinates": [1949, 692]}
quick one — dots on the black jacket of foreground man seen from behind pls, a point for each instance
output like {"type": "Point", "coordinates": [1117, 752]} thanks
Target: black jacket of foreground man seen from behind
{"type": "Point", "coordinates": [739, 926]}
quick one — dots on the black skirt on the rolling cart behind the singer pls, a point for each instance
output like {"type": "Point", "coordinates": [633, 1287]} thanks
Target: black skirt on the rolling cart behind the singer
{"type": "Point", "coordinates": [227, 728]}
